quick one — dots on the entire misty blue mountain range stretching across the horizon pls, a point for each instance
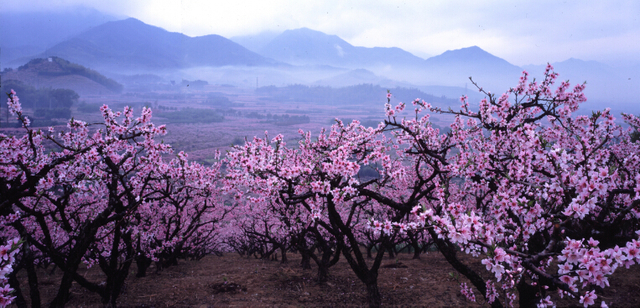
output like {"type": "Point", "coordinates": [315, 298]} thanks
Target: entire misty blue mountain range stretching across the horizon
{"type": "Point", "coordinates": [129, 47]}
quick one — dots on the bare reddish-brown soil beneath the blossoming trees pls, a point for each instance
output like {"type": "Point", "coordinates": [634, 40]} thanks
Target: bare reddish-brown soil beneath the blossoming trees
{"type": "Point", "coordinates": [235, 281]}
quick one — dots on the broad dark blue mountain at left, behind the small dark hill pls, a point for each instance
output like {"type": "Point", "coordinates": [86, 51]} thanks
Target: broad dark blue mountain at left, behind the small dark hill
{"type": "Point", "coordinates": [130, 45]}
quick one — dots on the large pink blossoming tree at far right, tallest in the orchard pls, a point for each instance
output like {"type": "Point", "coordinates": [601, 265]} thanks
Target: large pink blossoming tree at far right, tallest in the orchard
{"type": "Point", "coordinates": [550, 200]}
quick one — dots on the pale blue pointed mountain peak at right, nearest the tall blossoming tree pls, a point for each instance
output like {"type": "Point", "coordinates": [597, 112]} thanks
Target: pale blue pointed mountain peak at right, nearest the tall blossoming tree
{"type": "Point", "coordinates": [454, 67]}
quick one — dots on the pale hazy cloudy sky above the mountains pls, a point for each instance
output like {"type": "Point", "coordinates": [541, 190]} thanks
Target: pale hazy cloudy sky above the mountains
{"type": "Point", "coordinates": [521, 32]}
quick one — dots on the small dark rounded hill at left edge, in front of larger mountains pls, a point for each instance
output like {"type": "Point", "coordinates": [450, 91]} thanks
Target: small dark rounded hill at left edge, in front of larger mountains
{"type": "Point", "coordinates": [58, 73]}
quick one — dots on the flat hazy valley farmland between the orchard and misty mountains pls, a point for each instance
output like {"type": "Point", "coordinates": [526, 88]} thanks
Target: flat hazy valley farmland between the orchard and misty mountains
{"type": "Point", "coordinates": [201, 139]}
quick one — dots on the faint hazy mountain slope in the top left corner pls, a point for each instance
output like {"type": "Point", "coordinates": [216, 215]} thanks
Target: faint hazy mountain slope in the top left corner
{"type": "Point", "coordinates": [29, 33]}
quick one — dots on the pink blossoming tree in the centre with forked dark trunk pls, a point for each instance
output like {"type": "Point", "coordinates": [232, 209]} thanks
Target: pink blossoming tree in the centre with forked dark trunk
{"type": "Point", "coordinates": [319, 182]}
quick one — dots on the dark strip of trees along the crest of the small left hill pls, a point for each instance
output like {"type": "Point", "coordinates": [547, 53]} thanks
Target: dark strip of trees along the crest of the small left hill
{"type": "Point", "coordinates": [68, 68]}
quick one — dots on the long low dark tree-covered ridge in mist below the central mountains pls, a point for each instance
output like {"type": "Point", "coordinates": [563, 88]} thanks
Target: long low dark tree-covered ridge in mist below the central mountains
{"type": "Point", "coordinates": [352, 95]}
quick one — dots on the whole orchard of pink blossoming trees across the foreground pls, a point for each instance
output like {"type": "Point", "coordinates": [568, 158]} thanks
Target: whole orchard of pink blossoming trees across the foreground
{"type": "Point", "coordinates": [546, 199]}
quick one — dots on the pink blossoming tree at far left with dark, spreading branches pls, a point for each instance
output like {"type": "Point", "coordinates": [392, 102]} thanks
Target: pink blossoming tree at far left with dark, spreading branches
{"type": "Point", "coordinates": [82, 195]}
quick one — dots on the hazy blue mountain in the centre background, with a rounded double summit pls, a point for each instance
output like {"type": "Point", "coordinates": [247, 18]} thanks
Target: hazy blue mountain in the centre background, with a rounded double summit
{"type": "Point", "coordinates": [309, 47]}
